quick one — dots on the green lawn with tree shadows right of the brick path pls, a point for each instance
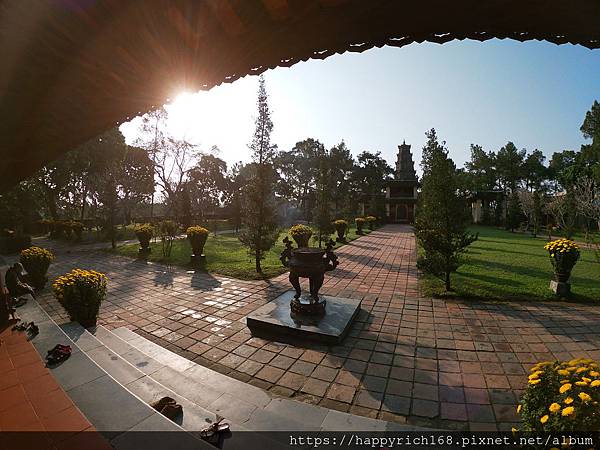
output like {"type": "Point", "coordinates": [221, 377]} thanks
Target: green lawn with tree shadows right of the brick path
{"type": "Point", "coordinates": [513, 266]}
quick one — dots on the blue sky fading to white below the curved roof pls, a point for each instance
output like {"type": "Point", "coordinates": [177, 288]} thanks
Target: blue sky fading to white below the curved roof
{"type": "Point", "coordinates": [534, 94]}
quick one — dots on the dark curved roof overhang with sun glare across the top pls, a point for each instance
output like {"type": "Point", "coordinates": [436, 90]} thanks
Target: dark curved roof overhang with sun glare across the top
{"type": "Point", "coordinates": [73, 68]}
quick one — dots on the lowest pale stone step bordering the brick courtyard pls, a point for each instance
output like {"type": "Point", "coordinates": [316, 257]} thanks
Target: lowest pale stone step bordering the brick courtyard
{"type": "Point", "coordinates": [253, 407]}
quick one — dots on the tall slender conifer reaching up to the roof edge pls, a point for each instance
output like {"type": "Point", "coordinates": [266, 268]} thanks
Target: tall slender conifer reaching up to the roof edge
{"type": "Point", "coordinates": [259, 208]}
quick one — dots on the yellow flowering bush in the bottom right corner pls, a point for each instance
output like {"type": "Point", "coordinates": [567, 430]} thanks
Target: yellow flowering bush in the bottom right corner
{"type": "Point", "coordinates": [561, 397]}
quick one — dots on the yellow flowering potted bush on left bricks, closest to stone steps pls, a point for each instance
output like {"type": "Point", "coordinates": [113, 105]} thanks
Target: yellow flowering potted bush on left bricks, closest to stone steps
{"type": "Point", "coordinates": [81, 292]}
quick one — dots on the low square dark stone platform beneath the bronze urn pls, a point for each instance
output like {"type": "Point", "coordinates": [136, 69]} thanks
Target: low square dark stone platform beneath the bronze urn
{"type": "Point", "coordinates": [276, 321]}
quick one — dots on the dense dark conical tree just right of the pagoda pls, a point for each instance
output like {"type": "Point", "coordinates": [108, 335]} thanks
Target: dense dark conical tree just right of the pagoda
{"type": "Point", "coordinates": [442, 215]}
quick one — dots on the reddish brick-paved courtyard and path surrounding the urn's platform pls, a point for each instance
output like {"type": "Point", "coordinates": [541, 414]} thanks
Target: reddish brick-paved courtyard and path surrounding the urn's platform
{"type": "Point", "coordinates": [449, 364]}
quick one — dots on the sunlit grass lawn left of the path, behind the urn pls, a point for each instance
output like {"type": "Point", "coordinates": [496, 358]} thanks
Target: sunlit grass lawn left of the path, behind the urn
{"type": "Point", "coordinates": [225, 255]}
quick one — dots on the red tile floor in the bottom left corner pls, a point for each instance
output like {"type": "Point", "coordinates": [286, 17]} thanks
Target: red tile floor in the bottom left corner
{"type": "Point", "coordinates": [32, 401]}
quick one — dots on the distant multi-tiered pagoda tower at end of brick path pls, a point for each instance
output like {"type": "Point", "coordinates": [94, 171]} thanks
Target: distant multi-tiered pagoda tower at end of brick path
{"type": "Point", "coordinates": [401, 192]}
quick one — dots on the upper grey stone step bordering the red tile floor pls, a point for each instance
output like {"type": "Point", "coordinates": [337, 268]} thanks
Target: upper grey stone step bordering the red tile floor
{"type": "Point", "coordinates": [113, 410]}
